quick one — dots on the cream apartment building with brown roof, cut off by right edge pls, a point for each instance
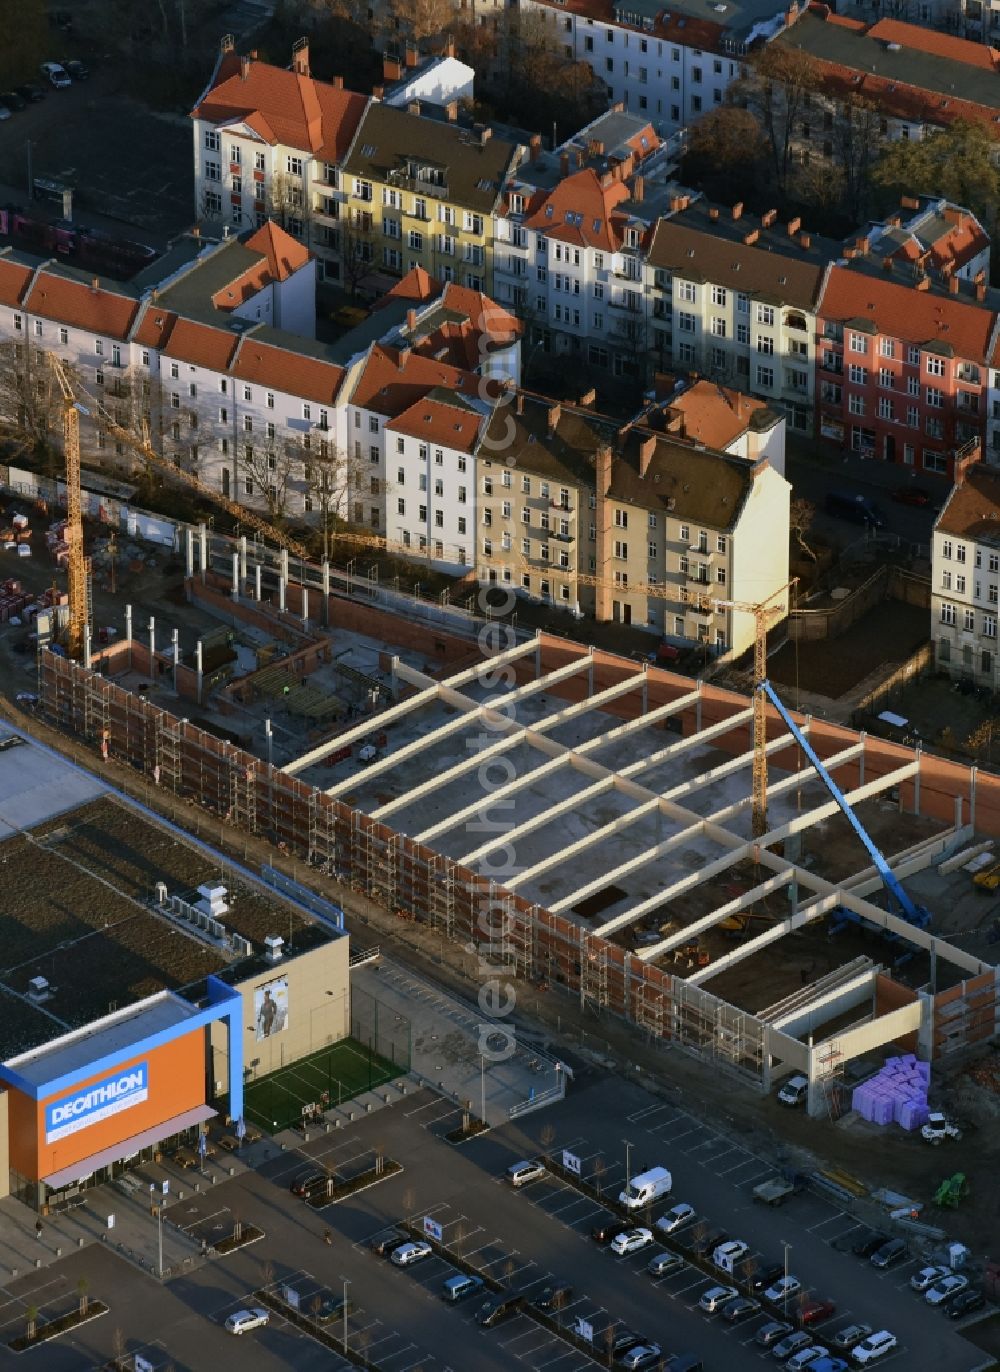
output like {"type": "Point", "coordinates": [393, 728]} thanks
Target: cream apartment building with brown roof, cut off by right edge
{"type": "Point", "coordinates": [966, 577]}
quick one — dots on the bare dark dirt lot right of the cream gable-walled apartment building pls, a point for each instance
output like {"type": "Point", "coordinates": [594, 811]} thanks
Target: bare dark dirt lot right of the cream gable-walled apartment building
{"type": "Point", "coordinates": [888, 633]}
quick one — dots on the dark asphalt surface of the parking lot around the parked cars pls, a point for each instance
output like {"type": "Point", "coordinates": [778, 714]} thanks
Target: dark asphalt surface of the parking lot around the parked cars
{"type": "Point", "coordinates": [522, 1238]}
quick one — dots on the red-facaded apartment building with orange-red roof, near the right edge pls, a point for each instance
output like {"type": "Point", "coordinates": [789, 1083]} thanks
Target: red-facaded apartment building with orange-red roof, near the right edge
{"type": "Point", "coordinates": [905, 362]}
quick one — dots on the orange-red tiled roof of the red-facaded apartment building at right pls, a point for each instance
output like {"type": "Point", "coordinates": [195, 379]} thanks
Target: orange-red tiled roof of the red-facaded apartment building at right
{"type": "Point", "coordinates": [899, 311]}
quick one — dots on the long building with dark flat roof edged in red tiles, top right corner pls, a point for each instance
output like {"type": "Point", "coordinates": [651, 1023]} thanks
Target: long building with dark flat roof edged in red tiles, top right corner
{"type": "Point", "coordinates": [917, 79]}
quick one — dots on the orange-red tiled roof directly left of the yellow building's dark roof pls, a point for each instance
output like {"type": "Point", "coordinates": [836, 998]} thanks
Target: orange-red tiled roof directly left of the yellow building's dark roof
{"type": "Point", "coordinates": [285, 108]}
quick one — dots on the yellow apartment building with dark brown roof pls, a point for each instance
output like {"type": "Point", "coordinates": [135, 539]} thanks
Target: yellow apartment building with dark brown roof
{"type": "Point", "coordinates": [423, 193]}
